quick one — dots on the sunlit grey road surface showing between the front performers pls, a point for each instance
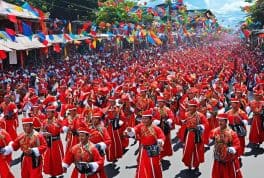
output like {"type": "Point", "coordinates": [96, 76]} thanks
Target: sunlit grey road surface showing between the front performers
{"type": "Point", "coordinates": [172, 166]}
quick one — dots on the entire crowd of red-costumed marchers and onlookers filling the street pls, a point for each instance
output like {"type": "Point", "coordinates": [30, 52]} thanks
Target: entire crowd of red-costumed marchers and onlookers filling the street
{"type": "Point", "coordinates": [210, 92]}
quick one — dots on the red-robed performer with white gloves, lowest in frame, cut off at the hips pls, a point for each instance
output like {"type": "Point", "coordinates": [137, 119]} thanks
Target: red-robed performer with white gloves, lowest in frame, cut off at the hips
{"type": "Point", "coordinates": [88, 161]}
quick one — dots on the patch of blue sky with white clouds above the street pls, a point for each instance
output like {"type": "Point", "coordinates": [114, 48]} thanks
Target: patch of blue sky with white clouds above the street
{"type": "Point", "coordinates": [228, 12]}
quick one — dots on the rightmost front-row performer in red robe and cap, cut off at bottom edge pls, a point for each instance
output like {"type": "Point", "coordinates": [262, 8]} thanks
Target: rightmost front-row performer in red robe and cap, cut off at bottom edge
{"type": "Point", "coordinates": [227, 145]}
